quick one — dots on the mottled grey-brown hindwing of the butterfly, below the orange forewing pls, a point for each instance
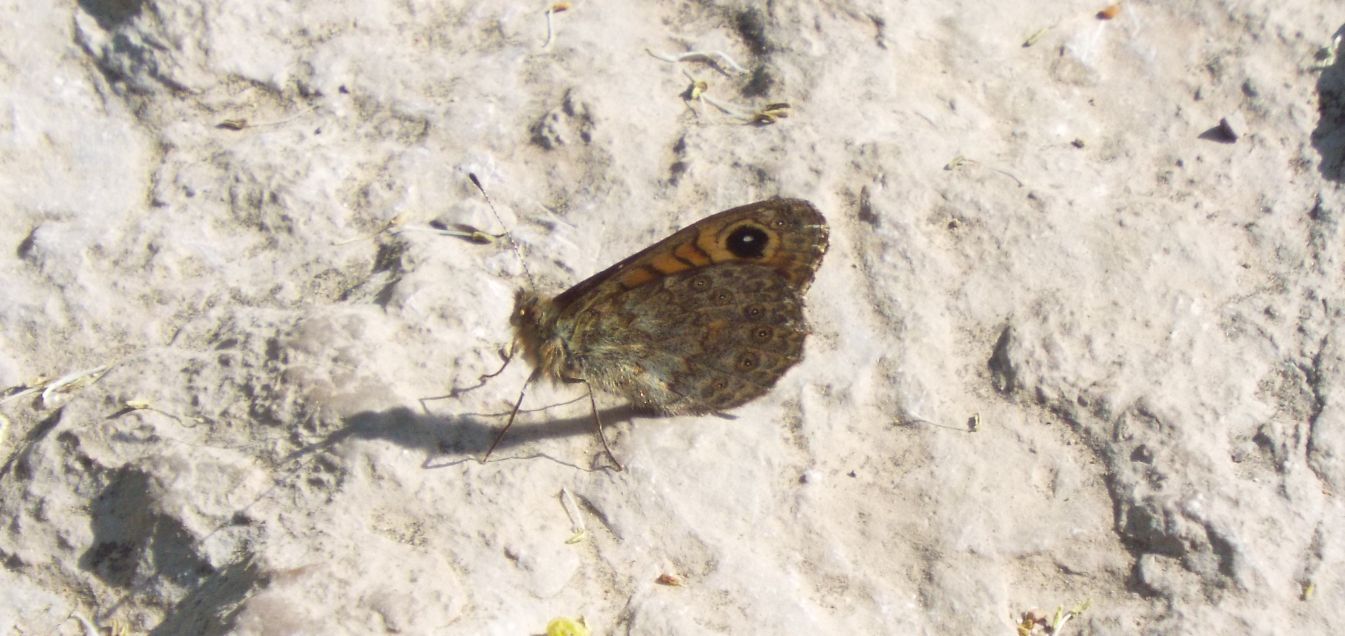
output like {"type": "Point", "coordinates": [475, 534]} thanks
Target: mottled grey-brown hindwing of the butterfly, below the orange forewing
{"type": "Point", "coordinates": [722, 338]}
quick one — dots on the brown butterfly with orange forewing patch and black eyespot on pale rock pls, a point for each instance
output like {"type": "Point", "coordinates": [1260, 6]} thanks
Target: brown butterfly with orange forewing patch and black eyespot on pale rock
{"type": "Point", "coordinates": [701, 322]}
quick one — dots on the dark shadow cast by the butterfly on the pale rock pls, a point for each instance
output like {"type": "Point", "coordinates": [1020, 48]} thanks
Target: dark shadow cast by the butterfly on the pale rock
{"type": "Point", "coordinates": [453, 440]}
